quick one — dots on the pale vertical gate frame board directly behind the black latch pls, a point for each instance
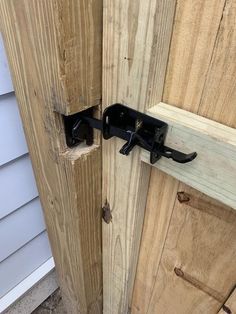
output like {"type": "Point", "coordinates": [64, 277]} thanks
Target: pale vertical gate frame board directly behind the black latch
{"type": "Point", "coordinates": [135, 51]}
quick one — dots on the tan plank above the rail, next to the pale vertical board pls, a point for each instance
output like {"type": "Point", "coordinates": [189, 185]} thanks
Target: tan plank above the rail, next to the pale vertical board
{"type": "Point", "coordinates": [193, 41]}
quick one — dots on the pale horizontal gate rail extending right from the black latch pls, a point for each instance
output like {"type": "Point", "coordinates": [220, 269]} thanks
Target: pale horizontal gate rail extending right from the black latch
{"type": "Point", "coordinates": [213, 171]}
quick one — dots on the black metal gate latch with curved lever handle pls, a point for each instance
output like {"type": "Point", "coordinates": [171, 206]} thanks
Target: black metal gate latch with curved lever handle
{"type": "Point", "coordinates": [136, 128]}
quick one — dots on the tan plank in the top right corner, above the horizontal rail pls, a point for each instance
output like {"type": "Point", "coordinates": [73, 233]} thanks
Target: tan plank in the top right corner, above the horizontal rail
{"type": "Point", "coordinates": [218, 96]}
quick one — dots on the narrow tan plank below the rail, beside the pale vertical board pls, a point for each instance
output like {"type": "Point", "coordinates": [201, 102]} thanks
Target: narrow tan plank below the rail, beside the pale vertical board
{"type": "Point", "coordinates": [161, 199]}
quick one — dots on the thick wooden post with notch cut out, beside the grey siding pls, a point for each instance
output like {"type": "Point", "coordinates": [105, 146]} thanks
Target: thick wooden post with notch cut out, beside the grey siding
{"type": "Point", "coordinates": [55, 67]}
